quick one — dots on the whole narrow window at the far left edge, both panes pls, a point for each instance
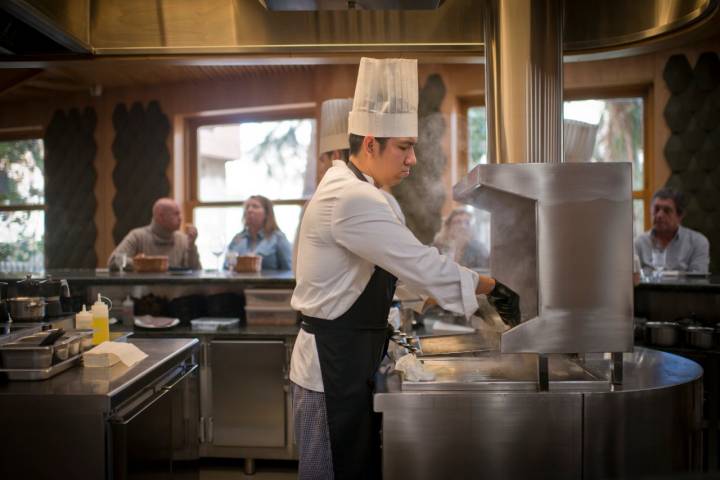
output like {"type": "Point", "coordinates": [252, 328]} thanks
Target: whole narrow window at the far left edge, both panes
{"type": "Point", "coordinates": [22, 197]}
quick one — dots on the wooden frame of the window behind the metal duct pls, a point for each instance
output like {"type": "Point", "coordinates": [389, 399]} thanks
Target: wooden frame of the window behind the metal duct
{"type": "Point", "coordinates": [576, 94]}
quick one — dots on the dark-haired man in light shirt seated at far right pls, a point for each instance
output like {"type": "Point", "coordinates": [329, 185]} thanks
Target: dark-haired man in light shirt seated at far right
{"type": "Point", "coordinates": [685, 250]}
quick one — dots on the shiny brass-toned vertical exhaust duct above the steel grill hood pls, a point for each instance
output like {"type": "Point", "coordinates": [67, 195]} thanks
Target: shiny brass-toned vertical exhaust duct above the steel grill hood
{"type": "Point", "coordinates": [523, 80]}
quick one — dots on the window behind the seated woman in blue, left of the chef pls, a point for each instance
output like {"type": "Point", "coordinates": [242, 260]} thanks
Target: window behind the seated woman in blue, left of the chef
{"type": "Point", "coordinates": [241, 156]}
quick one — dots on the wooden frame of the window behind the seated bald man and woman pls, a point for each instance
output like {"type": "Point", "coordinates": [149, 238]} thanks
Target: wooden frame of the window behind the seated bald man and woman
{"type": "Point", "coordinates": [192, 125]}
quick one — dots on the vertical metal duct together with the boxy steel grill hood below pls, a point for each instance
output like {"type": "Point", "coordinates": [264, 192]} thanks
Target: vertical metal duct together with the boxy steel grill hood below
{"type": "Point", "coordinates": [561, 233]}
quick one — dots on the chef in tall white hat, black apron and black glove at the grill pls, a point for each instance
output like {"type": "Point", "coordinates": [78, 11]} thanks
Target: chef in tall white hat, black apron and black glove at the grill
{"type": "Point", "coordinates": [353, 249]}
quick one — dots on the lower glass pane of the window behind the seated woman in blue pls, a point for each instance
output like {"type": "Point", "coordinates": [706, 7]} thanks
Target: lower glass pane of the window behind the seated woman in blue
{"type": "Point", "coordinates": [226, 222]}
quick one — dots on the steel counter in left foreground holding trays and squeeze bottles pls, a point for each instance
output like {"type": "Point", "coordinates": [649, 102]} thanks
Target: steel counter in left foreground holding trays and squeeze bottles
{"type": "Point", "coordinates": [100, 423]}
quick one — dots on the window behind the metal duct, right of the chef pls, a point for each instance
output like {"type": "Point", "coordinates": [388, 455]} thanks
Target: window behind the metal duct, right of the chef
{"type": "Point", "coordinates": [620, 138]}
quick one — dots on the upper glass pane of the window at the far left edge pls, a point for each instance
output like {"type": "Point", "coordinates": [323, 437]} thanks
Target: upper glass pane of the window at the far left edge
{"type": "Point", "coordinates": [21, 172]}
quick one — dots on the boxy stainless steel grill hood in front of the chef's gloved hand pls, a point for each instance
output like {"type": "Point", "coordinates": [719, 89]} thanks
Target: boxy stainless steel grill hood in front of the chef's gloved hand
{"type": "Point", "coordinates": [561, 236]}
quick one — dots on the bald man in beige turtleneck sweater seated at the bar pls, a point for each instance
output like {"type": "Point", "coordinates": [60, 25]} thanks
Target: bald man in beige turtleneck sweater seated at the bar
{"type": "Point", "coordinates": [161, 237]}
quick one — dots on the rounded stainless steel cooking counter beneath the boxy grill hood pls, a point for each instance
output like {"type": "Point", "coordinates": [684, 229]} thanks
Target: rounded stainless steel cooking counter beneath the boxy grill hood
{"type": "Point", "coordinates": [483, 419]}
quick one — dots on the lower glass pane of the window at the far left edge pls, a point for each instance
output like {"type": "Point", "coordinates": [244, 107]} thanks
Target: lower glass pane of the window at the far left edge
{"type": "Point", "coordinates": [21, 241]}
